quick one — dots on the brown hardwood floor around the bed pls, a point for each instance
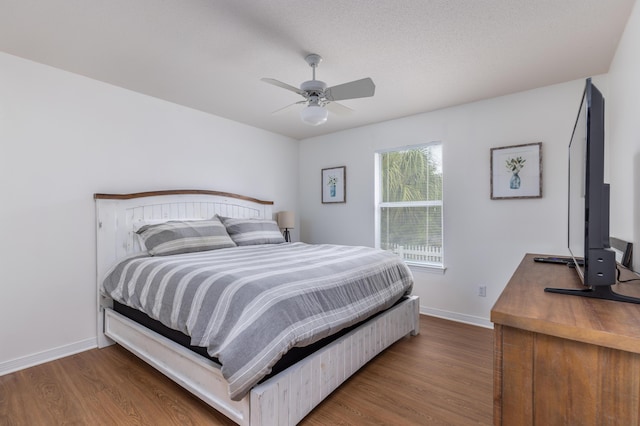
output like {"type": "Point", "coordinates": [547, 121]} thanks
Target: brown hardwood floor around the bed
{"type": "Point", "coordinates": [444, 376]}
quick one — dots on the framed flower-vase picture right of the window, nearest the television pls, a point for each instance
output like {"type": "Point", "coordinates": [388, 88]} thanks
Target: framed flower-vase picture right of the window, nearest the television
{"type": "Point", "coordinates": [516, 171]}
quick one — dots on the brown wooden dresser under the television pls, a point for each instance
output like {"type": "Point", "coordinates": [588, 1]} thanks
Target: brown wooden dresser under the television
{"type": "Point", "coordinates": [564, 360]}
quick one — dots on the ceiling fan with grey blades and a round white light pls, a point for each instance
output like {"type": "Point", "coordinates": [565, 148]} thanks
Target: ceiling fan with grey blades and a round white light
{"type": "Point", "coordinates": [321, 99]}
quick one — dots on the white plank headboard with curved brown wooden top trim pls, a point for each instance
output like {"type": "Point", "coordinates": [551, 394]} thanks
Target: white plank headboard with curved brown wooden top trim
{"type": "Point", "coordinates": [118, 216]}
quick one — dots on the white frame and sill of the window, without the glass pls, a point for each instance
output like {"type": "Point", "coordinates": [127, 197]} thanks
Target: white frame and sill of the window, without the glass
{"type": "Point", "coordinates": [379, 205]}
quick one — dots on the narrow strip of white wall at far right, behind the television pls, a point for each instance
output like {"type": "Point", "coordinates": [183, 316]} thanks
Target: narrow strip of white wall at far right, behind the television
{"type": "Point", "coordinates": [623, 113]}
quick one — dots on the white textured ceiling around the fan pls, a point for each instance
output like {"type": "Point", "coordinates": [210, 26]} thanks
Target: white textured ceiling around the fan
{"type": "Point", "coordinates": [422, 55]}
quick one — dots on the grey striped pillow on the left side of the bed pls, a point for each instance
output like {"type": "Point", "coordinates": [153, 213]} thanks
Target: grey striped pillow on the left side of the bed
{"type": "Point", "coordinates": [185, 236]}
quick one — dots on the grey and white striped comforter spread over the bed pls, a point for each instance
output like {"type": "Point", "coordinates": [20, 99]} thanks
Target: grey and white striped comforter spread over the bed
{"type": "Point", "coordinates": [249, 305]}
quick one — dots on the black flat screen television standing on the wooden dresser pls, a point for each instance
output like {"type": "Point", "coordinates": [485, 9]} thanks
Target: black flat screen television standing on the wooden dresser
{"type": "Point", "coordinates": [588, 199]}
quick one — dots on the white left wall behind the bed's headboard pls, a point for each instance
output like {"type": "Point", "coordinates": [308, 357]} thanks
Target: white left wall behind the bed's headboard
{"type": "Point", "coordinates": [65, 137]}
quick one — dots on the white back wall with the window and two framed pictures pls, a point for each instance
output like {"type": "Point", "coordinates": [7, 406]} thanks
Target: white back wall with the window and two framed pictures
{"type": "Point", "coordinates": [484, 239]}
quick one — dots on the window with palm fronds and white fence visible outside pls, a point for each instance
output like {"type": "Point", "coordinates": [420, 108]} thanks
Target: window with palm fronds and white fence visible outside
{"type": "Point", "coordinates": [409, 203]}
